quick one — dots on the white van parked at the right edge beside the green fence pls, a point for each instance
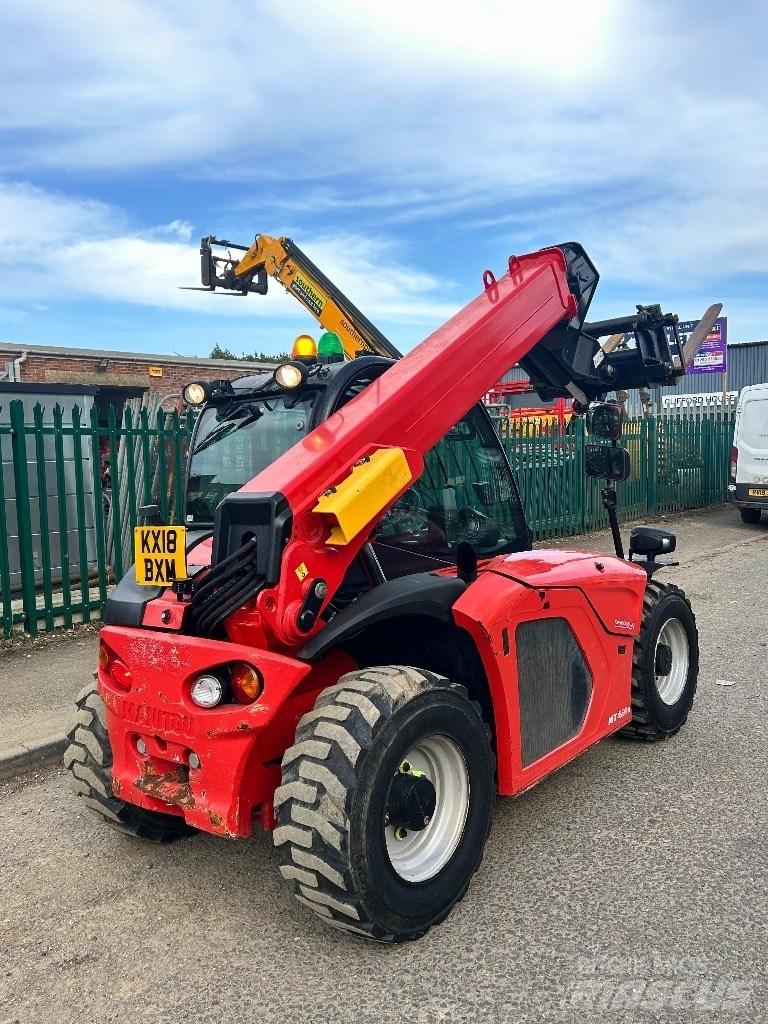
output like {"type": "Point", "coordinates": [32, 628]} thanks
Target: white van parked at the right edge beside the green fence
{"type": "Point", "coordinates": [749, 483]}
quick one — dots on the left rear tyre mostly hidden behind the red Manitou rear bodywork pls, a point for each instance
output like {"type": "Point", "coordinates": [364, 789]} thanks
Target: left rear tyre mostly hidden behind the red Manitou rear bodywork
{"type": "Point", "coordinates": [89, 759]}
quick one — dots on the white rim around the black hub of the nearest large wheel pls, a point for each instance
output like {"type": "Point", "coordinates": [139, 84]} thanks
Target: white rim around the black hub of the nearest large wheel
{"type": "Point", "coordinates": [420, 856]}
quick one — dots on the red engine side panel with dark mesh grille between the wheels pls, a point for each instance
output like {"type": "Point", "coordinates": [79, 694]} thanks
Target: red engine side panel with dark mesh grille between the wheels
{"type": "Point", "coordinates": [560, 679]}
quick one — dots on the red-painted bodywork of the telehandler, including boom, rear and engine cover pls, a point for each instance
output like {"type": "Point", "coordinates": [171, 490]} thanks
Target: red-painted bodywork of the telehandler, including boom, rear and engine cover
{"type": "Point", "coordinates": [411, 406]}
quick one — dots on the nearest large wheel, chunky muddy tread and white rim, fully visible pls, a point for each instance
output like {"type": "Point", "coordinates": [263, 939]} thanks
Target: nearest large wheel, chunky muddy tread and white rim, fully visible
{"type": "Point", "coordinates": [387, 802]}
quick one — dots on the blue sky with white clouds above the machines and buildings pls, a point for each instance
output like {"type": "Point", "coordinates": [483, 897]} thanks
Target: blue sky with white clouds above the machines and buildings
{"type": "Point", "coordinates": [405, 147]}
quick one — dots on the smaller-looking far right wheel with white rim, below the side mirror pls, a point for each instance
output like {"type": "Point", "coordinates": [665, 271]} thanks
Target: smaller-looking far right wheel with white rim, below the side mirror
{"type": "Point", "coordinates": [665, 665]}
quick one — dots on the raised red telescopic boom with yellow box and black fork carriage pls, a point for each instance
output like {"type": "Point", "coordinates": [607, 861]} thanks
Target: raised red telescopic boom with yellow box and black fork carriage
{"type": "Point", "coordinates": [301, 523]}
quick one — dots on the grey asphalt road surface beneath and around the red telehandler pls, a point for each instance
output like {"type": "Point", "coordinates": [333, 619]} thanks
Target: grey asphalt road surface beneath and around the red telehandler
{"type": "Point", "coordinates": [636, 875]}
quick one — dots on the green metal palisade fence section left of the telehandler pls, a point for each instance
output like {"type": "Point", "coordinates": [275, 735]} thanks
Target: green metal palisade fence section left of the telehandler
{"type": "Point", "coordinates": [54, 495]}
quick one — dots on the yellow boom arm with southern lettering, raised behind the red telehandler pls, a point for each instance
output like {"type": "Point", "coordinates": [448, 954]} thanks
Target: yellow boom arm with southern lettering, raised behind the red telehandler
{"type": "Point", "coordinates": [283, 261]}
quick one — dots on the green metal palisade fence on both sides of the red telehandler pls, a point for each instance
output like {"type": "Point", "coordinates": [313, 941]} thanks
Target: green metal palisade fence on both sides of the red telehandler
{"type": "Point", "coordinates": [66, 549]}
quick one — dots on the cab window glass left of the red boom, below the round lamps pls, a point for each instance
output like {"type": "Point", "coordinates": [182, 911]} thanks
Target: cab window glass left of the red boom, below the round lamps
{"type": "Point", "coordinates": [235, 443]}
